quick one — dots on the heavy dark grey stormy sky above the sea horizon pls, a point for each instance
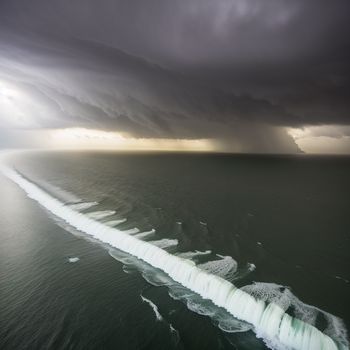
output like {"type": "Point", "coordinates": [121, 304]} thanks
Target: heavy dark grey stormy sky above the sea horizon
{"type": "Point", "coordinates": [251, 75]}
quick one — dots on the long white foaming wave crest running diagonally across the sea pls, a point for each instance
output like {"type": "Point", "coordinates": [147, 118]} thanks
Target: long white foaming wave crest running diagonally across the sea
{"type": "Point", "coordinates": [269, 320]}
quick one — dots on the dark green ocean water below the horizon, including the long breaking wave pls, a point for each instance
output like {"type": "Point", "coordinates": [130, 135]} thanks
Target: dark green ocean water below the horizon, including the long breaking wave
{"type": "Point", "coordinates": [277, 227]}
